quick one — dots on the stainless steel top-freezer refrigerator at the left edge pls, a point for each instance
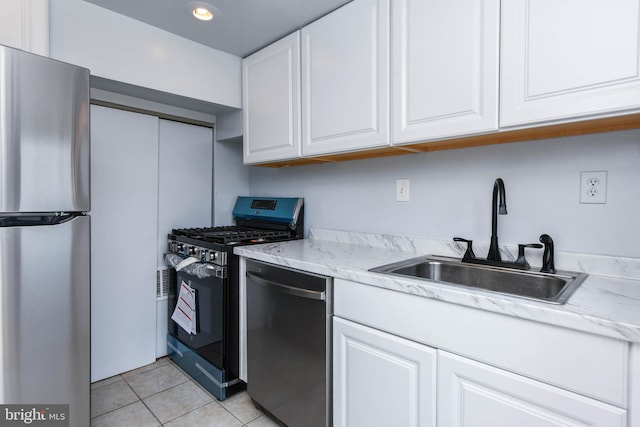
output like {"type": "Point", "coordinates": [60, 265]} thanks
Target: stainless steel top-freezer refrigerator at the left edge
{"type": "Point", "coordinates": [44, 234]}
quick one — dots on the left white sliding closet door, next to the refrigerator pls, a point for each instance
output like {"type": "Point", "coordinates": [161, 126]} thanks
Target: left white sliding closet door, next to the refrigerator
{"type": "Point", "coordinates": [124, 201]}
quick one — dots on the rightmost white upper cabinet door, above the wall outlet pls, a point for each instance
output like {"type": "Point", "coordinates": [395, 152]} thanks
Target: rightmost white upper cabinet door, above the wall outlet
{"type": "Point", "coordinates": [570, 58]}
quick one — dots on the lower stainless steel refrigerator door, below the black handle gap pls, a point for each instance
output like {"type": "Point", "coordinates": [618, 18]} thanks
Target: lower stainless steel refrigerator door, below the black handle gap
{"type": "Point", "coordinates": [44, 316]}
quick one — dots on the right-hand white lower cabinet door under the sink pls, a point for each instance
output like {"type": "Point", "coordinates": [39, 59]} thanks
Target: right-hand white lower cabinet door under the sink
{"type": "Point", "coordinates": [472, 394]}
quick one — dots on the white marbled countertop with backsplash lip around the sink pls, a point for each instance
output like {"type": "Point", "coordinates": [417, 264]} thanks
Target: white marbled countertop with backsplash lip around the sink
{"type": "Point", "coordinates": [607, 303]}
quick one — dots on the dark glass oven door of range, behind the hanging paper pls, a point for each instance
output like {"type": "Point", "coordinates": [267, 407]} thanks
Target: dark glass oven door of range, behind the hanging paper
{"type": "Point", "coordinates": [210, 338]}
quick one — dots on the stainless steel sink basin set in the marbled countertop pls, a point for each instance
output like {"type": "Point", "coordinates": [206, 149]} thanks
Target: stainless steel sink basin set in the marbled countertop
{"type": "Point", "coordinates": [552, 288]}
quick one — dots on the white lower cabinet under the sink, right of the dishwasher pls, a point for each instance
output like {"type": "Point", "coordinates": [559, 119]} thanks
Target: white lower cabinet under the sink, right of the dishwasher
{"type": "Point", "coordinates": [483, 369]}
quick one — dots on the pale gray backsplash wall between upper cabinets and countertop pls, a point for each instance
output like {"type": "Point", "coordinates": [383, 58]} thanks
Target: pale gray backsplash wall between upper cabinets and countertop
{"type": "Point", "coordinates": [451, 193]}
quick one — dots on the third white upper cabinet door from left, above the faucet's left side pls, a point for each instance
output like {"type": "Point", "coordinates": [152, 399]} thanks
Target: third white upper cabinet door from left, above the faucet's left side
{"type": "Point", "coordinates": [445, 75]}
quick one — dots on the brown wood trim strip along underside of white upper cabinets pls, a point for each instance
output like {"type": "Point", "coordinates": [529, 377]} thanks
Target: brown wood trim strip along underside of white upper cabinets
{"type": "Point", "coordinates": [608, 124]}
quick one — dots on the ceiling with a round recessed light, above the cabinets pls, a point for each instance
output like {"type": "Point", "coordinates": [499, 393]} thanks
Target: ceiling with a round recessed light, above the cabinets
{"type": "Point", "coordinates": [242, 27]}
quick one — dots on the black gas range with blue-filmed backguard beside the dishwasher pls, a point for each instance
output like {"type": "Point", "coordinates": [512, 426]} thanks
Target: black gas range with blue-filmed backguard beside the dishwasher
{"type": "Point", "coordinates": [204, 267]}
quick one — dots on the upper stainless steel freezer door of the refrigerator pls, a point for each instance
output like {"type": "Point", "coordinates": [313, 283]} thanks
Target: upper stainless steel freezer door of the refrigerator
{"type": "Point", "coordinates": [44, 134]}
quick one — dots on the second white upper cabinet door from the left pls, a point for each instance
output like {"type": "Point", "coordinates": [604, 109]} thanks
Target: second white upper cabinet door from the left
{"type": "Point", "coordinates": [345, 79]}
